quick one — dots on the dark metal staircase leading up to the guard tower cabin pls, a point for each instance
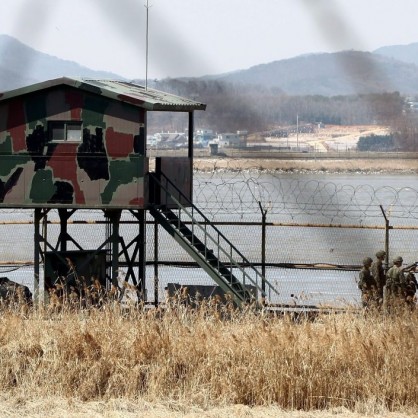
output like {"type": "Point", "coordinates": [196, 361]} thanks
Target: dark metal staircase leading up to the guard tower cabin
{"type": "Point", "coordinates": [207, 245]}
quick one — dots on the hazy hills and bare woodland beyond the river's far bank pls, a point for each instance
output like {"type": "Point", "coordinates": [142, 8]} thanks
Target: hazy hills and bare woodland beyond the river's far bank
{"type": "Point", "coordinates": [346, 88]}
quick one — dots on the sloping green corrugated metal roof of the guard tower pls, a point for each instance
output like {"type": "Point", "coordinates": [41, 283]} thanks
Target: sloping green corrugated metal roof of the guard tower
{"type": "Point", "coordinates": [123, 91]}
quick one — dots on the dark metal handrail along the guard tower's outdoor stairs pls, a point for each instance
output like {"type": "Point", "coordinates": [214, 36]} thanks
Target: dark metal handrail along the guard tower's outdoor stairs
{"type": "Point", "coordinates": [213, 246]}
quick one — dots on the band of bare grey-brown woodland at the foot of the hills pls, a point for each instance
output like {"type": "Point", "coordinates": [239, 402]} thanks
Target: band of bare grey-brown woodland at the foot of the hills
{"type": "Point", "coordinates": [240, 106]}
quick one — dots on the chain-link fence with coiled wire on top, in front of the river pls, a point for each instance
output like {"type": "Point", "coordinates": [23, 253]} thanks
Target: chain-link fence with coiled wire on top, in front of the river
{"type": "Point", "coordinates": [307, 233]}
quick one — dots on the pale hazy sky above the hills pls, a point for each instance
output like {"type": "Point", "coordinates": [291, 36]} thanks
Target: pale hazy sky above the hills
{"type": "Point", "coordinates": [198, 37]}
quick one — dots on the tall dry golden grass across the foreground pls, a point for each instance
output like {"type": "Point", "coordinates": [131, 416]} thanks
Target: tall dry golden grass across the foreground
{"type": "Point", "coordinates": [208, 357]}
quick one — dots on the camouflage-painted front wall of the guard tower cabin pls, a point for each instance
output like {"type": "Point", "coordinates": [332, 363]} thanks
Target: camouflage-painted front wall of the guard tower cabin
{"type": "Point", "coordinates": [104, 169]}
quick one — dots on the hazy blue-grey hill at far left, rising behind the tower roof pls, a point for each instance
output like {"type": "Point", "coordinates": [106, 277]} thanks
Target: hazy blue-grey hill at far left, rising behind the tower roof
{"type": "Point", "coordinates": [21, 65]}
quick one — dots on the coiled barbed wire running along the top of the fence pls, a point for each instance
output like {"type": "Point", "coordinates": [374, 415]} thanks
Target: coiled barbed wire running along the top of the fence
{"type": "Point", "coordinates": [241, 193]}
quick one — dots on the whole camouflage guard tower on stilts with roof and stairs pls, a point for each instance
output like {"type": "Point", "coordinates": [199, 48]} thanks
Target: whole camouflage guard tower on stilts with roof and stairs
{"type": "Point", "coordinates": [70, 144]}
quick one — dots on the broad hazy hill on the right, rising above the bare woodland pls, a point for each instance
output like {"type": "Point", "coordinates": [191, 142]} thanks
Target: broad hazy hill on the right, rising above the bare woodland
{"type": "Point", "coordinates": [331, 74]}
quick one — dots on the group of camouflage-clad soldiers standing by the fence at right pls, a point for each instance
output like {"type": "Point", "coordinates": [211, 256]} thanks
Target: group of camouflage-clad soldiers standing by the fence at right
{"type": "Point", "coordinates": [387, 289]}
